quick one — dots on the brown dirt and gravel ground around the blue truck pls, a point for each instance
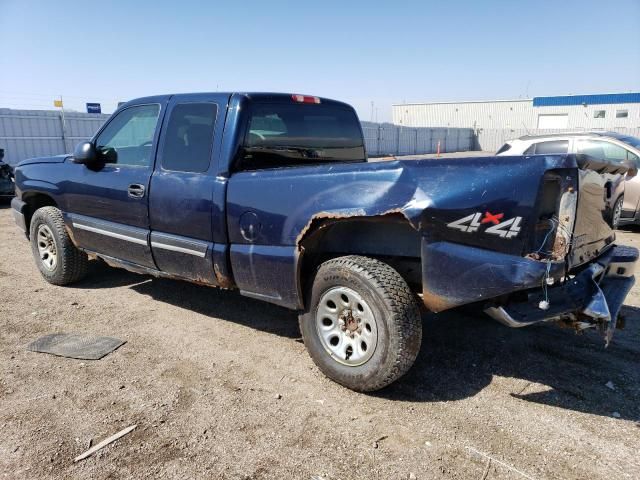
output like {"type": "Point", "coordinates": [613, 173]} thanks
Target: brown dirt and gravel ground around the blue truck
{"type": "Point", "coordinates": [220, 386]}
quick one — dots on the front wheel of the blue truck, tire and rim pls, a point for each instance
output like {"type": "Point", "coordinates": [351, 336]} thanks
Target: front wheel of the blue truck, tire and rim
{"type": "Point", "coordinates": [58, 259]}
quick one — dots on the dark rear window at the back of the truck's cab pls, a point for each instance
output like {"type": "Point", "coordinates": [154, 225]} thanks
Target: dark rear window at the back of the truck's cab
{"type": "Point", "coordinates": [301, 134]}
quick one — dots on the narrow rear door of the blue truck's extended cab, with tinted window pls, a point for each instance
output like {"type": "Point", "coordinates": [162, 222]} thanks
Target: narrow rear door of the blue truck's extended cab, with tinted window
{"type": "Point", "coordinates": [187, 233]}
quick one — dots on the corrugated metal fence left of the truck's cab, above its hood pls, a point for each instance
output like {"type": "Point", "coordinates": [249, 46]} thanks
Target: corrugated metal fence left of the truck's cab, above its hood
{"type": "Point", "coordinates": [33, 133]}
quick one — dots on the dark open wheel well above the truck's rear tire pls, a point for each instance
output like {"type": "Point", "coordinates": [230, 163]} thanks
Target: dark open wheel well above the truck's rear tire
{"type": "Point", "coordinates": [390, 238]}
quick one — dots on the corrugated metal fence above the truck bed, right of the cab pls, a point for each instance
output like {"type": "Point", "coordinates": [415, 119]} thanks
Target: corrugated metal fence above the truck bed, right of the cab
{"type": "Point", "coordinates": [389, 139]}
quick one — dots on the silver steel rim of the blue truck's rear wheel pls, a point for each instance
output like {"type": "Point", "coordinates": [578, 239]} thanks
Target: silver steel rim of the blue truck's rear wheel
{"type": "Point", "coordinates": [346, 326]}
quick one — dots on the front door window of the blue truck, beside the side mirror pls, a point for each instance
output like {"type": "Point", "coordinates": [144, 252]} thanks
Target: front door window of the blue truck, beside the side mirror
{"type": "Point", "coordinates": [128, 138]}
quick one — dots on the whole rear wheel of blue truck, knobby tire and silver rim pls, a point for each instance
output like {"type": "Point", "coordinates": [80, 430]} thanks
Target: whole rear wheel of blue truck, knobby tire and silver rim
{"type": "Point", "coordinates": [362, 326]}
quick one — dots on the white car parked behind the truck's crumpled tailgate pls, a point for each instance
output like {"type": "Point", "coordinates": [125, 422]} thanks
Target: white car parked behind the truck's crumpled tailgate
{"type": "Point", "coordinates": [595, 146]}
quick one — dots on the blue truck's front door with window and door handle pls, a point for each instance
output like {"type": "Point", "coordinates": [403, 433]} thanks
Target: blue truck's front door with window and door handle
{"type": "Point", "coordinates": [107, 207]}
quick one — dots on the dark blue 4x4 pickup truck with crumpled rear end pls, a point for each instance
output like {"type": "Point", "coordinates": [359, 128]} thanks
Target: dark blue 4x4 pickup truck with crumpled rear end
{"type": "Point", "coordinates": [272, 195]}
